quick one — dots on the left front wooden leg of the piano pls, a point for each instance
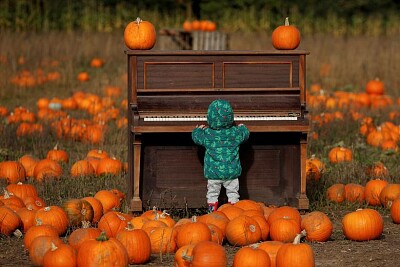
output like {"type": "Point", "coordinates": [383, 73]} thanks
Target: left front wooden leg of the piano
{"type": "Point", "coordinates": [136, 202]}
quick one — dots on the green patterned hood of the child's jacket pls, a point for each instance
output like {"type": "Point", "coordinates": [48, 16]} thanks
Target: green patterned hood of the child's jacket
{"type": "Point", "coordinates": [220, 114]}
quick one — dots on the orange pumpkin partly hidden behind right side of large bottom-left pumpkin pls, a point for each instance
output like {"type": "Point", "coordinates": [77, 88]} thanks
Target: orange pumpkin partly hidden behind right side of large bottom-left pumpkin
{"type": "Point", "coordinates": [137, 244]}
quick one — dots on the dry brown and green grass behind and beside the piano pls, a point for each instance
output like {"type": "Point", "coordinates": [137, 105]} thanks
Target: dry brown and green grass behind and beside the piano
{"type": "Point", "coordinates": [352, 62]}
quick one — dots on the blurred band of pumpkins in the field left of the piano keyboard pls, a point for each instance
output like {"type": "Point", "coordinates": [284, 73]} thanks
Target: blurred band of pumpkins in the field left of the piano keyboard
{"type": "Point", "coordinates": [54, 111]}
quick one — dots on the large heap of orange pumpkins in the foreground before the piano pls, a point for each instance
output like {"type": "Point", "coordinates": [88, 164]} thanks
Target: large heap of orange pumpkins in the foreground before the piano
{"type": "Point", "coordinates": [91, 231]}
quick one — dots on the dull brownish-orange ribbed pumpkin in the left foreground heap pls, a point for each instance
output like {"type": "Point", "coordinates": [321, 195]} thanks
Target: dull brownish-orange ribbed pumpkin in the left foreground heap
{"type": "Point", "coordinates": [78, 210]}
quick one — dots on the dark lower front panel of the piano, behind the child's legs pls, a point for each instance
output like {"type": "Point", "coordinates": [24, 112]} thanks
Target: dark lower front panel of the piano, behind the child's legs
{"type": "Point", "coordinates": [173, 170]}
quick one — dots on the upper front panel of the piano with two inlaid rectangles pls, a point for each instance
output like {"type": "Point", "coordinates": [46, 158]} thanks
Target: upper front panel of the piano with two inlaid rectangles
{"type": "Point", "coordinates": [194, 72]}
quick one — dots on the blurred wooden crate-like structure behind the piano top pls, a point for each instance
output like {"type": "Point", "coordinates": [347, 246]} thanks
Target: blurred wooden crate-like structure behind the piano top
{"type": "Point", "coordinates": [197, 40]}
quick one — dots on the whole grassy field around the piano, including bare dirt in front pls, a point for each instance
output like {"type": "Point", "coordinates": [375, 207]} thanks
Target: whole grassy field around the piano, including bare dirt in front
{"type": "Point", "coordinates": [339, 65]}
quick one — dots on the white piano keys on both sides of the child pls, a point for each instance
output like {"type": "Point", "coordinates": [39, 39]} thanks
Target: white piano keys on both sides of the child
{"type": "Point", "coordinates": [237, 118]}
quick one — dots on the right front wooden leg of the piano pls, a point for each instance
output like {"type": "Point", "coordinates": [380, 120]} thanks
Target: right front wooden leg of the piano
{"type": "Point", "coordinates": [303, 202]}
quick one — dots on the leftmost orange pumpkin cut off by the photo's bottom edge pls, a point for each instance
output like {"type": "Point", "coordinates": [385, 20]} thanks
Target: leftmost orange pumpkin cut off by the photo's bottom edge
{"type": "Point", "coordinates": [62, 255]}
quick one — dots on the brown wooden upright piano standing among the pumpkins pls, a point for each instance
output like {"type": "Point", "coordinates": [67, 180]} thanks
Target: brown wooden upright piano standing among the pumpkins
{"type": "Point", "coordinates": [169, 93]}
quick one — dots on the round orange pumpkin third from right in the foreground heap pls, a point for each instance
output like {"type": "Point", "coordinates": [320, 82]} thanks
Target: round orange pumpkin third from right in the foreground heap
{"type": "Point", "coordinates": [284, 230]}
